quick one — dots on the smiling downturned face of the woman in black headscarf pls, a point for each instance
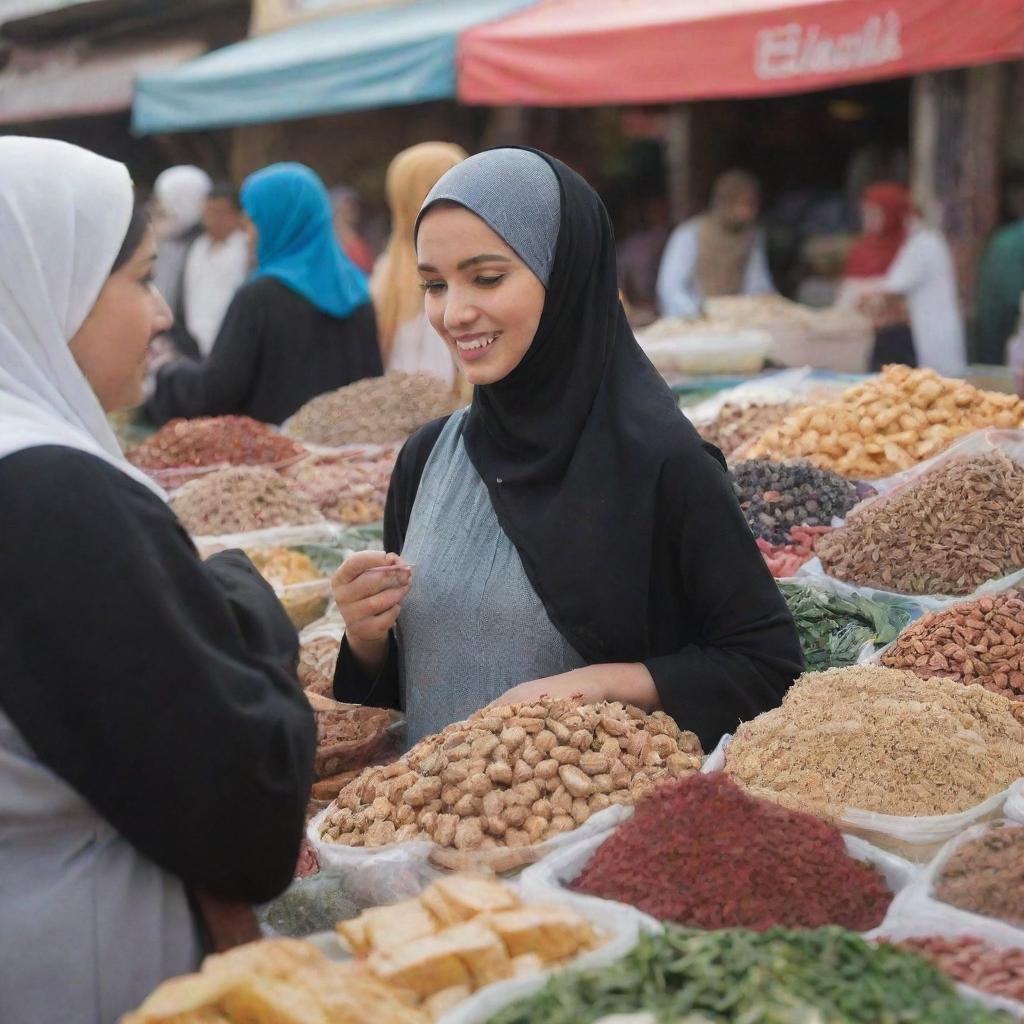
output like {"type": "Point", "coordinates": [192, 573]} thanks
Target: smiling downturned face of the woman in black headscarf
{"type": "Point", "coordinates": [481, 297]}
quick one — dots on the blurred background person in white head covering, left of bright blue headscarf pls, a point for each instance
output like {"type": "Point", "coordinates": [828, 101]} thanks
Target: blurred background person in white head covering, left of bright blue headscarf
{"type": "Point", "coordinates": [180, 195]}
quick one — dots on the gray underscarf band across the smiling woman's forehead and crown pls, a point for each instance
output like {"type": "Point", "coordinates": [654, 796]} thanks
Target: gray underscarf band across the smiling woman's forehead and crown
{"type": "Point", "coordinates": [517, 194]}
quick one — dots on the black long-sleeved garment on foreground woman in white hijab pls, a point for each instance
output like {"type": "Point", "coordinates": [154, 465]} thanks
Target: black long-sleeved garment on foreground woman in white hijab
{"type": "Point", "coordinates": [160, 688]}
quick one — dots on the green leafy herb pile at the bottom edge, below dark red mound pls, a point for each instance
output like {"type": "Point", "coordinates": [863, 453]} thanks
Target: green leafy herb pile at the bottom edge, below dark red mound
{"type": "Point", "coordinates": [828, 976]}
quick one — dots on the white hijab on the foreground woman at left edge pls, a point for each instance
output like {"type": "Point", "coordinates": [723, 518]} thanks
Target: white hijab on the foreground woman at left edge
{"type": "Point", "coordinates": [64, 216]}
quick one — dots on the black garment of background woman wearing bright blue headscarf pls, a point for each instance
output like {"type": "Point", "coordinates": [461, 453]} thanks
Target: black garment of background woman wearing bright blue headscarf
{"type": "Point", "coordinates": [275, 352]}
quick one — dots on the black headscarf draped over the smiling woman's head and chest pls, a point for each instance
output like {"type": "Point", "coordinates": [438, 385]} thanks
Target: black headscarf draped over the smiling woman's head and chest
{"type": "Point", "coordinates": [573, 443]}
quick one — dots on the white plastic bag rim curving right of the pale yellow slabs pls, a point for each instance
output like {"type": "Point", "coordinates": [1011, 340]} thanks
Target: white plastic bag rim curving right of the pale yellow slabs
{"type": "Point", "coordinates": [620, 923]}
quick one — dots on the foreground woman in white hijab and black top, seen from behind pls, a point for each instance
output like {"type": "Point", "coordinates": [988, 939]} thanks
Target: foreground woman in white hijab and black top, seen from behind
{"type": "Point", "coordinates": [148, 700]}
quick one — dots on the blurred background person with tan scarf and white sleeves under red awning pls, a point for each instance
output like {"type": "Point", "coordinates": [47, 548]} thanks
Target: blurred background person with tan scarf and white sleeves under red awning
{"type": "Point", "coordinates": [720, 252]}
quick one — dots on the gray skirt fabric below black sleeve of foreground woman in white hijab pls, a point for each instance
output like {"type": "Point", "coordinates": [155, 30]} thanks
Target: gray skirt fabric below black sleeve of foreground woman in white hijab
{"type": "Point", "coordinates": [71, 885]}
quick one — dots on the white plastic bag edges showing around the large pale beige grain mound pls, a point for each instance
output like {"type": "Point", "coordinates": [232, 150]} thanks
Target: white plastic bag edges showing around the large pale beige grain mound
{"type": "Point", "coordinates": [915, 839]}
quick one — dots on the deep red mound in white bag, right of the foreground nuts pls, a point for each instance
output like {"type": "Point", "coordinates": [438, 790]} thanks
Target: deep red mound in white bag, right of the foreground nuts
{"type": "Point", "coordinates": [704, 854]}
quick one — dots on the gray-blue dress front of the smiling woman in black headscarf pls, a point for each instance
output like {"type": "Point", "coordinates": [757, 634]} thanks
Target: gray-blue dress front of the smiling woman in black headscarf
{"type": "Point", "coordinates": [473, 626]}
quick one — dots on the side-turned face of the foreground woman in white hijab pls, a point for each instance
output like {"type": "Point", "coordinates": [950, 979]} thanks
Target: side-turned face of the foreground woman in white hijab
{"type": "Point", "coordinates": [111, 347]}
